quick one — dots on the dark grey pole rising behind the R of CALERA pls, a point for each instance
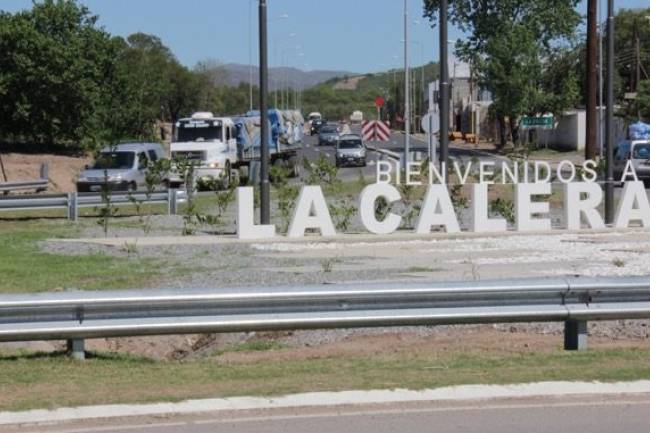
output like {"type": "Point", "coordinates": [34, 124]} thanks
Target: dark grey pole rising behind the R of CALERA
{"type": "Point", "coordinates": [609, 125]}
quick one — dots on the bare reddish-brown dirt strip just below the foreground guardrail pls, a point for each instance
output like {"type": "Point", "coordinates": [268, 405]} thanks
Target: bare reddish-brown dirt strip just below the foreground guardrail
{"type": "Point", "coordinates": [292, 345]}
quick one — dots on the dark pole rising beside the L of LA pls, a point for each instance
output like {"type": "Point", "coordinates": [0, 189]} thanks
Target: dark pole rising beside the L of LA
{"type": "Point", "coordinates": [265, 187]}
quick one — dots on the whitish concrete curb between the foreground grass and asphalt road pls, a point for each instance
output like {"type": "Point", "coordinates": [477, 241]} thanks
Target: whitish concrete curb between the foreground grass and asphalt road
{"type": "Point", "coordinates": [328, 399]}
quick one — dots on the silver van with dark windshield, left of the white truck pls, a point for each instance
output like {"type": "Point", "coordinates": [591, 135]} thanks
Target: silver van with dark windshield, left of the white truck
{"type": "Point", "coordinates": [121, 167]}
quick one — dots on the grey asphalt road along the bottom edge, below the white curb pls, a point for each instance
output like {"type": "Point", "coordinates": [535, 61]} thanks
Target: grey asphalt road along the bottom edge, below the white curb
{"type": "Point", "coordinates": [577, 415]}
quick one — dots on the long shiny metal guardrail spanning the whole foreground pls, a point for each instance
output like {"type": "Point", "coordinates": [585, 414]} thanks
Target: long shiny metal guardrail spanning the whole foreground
{"type": "Point", "coordinates": [78, 315]}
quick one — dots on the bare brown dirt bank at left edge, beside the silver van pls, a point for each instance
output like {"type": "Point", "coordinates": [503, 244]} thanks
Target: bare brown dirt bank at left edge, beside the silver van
{"type": "Point", "coordinates": [62, 169]}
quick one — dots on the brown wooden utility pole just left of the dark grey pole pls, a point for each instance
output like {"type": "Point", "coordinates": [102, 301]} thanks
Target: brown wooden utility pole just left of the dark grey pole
{"type": "Point", "coordinates": [592, 53]}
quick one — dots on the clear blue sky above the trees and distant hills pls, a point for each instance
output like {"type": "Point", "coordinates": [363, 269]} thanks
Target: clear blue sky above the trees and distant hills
{"type": "Point", "coordinates": [352, 35]}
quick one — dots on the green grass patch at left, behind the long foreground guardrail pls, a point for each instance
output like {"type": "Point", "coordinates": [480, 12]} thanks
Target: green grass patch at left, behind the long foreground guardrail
{"type": "Point", "coordinates": [24, 268]}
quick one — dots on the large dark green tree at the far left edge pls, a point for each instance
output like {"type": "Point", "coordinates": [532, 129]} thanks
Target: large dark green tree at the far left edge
{"type": "Point", "coordinates": [55, 65]}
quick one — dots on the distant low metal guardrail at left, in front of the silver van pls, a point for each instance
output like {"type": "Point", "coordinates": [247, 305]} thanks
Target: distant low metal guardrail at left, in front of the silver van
{"type": "Point", "coordinates": [73, 201]}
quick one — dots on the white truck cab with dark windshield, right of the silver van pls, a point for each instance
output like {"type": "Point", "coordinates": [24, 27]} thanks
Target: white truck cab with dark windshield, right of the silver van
{"type": "Point", "coordinates": [207, 141]}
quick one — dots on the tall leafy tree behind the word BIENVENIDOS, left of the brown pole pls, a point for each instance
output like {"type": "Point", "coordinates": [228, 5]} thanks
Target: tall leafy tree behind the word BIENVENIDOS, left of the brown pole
{"type": "Point", "coordinates": [510, 44]}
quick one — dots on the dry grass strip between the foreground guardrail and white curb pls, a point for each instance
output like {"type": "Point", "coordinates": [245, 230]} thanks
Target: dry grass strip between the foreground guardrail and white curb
{"type": "Point", "coordinates": [52, 380]}
